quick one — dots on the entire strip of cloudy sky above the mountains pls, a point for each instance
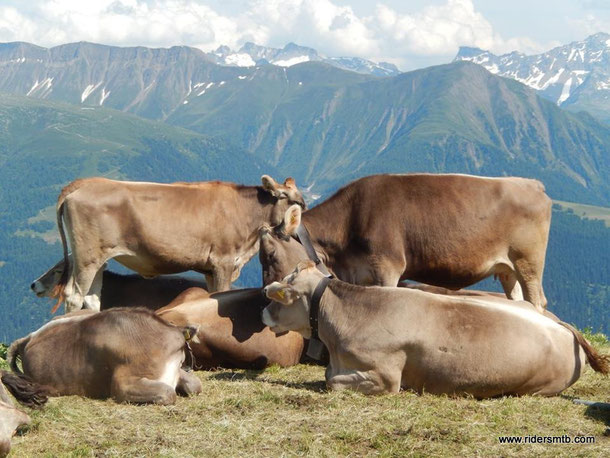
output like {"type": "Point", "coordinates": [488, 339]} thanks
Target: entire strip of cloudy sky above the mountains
{"type": "Point", "coordinates": [411, 34]}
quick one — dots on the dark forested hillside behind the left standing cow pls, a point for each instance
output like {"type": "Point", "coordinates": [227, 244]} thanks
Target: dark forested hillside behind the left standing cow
{"type": "Point", "coordinates": [45, 145]}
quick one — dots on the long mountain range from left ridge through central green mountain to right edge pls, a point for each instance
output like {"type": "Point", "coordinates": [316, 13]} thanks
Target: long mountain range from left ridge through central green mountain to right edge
{"type": "Point", "coordinates": [320, 122]}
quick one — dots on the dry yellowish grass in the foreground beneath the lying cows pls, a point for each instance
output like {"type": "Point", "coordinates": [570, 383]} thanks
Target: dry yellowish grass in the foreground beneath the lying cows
{"type": "Point", "coordinates": [288, 412]}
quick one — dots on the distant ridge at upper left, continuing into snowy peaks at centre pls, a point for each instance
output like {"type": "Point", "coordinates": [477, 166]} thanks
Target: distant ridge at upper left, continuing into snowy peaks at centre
{"type": "Point", "coordinates": [144, 81]}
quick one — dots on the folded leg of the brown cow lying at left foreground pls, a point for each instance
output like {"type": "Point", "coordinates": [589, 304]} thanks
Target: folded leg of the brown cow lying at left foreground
{"type": "Point", "coordinates": [141, 390]}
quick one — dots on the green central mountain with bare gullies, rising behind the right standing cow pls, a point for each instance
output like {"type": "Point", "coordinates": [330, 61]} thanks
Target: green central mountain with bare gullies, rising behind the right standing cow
{"type": "Point", "coordinates": [321, 123]}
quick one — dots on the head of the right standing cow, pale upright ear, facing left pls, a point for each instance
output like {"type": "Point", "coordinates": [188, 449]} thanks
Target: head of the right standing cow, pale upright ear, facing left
{"type": "Point", "coordinates": [279, 251]}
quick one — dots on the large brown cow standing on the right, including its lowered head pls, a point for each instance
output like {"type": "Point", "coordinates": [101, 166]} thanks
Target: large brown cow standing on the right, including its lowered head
{"type": "Point", "coordinates": [443, 230]}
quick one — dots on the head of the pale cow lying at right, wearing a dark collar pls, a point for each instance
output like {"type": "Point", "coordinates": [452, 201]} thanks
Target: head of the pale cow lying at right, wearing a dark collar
{"type": "Point", "coordinates": [291, 298]}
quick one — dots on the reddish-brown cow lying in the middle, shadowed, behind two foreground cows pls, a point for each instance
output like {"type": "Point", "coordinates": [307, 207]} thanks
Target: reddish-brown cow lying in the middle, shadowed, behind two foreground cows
{"type": "Point", "coordinates": [231, 333]}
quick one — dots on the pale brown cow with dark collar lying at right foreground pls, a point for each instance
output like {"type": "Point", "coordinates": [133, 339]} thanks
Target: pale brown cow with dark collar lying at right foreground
{"type": "Point", "coordinates": [382, 339]}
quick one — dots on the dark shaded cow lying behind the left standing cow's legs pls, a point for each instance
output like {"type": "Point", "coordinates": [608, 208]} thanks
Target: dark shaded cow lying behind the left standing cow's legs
{"type": "Point", "coordinates": [123, 290]}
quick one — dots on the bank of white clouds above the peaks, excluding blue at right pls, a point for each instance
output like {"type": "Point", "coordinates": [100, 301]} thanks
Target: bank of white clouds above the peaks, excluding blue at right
{"type": "Point", "coordinates": [331, 28]}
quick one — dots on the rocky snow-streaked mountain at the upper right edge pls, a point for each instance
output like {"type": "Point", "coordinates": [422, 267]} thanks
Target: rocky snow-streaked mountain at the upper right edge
{"type": "Point", "coordinates": [575, 76]}
